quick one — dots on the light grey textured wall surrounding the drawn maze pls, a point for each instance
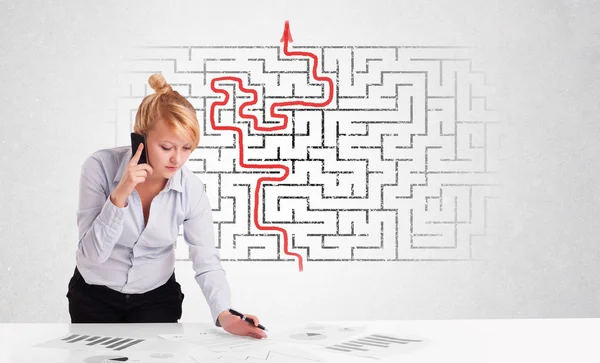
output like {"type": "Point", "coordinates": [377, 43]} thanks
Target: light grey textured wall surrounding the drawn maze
{"type": "Point", "coordinates": [59, 66]}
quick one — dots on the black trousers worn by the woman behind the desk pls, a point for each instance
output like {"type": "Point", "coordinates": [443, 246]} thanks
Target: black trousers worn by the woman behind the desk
{"type": "Point", "coordinates": [100, 304]}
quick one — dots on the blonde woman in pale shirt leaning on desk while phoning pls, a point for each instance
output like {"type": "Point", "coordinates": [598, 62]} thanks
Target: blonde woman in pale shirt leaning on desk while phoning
{"type": "Point", "coordinates": [129, 217]}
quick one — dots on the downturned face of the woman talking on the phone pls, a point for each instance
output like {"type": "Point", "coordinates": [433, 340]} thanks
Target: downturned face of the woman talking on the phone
{"type": "Point", "coordinates": [167, 151]}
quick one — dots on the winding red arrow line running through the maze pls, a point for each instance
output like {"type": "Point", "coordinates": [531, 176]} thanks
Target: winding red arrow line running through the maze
{"type": "Point", "coordinates": [286, 171]}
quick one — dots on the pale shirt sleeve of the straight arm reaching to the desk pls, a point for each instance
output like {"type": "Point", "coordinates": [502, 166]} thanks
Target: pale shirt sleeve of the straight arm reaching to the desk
{"type": "Point", "coordinates": [198, 233]}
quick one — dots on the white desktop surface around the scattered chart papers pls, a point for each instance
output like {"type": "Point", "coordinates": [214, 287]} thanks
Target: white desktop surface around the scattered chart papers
{"type": "Point", "coordinates": [465, 341]}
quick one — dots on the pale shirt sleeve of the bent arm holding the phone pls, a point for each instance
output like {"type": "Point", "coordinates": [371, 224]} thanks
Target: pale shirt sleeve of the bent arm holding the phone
{"type": "Point", "coordinates": [99, 221]}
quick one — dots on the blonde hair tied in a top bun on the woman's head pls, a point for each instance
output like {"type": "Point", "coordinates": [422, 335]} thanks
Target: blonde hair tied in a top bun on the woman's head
{"type": "Point", "coordinates": [171, 107]}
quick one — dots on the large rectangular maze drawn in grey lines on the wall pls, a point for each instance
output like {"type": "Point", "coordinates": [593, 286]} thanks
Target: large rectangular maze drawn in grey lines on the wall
{"type": "Point", "coordinates": [400, 165]}
